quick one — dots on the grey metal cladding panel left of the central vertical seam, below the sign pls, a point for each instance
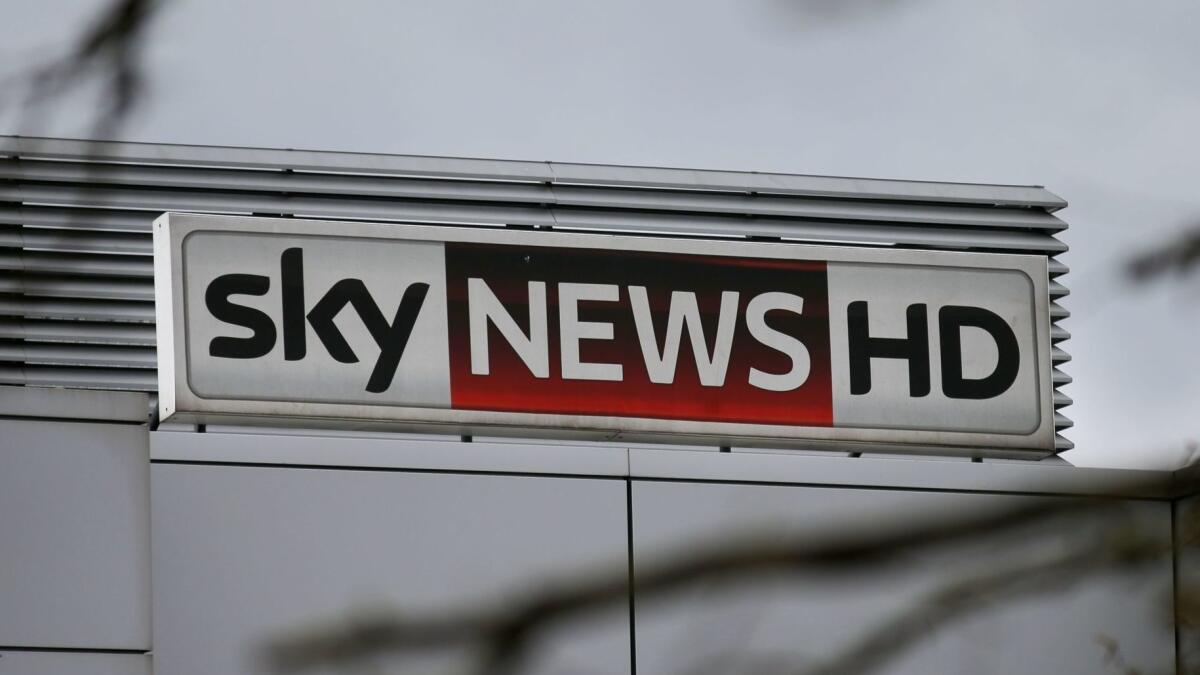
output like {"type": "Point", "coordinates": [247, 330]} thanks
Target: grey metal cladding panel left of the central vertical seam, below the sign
{"type": "Point", "coordinates": [243, 555]}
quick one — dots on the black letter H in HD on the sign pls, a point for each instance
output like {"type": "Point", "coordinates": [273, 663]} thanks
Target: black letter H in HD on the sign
{"type": "Point", "coordinates": [914, 349]}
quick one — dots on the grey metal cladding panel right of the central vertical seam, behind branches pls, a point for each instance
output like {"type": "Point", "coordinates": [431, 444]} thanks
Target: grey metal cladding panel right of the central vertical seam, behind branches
{"type": "Point", "coordinates": [841, 617]}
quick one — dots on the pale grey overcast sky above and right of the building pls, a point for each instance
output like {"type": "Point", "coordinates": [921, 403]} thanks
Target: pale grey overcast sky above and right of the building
{"type": "Point", "coordinates": [1097, 100]}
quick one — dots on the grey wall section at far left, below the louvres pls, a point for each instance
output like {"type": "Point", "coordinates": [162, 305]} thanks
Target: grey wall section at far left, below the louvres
{"type": "Point", "coordinates": [75, 537]}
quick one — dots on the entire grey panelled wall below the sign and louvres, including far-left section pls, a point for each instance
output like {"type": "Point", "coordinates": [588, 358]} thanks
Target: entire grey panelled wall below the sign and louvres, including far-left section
{"type": "Point", "coordinates": [256, 535]}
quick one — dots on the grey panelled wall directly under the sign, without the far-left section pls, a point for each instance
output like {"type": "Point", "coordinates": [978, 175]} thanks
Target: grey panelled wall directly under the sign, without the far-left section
{"type": "Point", "coordinates": [257, 551]}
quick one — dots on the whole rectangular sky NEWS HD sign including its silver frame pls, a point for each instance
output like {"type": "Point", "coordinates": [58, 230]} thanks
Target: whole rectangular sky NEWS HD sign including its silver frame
{"type": "Point", "coordinates": [488, 331]}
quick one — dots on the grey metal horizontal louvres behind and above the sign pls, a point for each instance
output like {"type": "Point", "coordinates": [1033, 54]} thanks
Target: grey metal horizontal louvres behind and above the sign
{"type": "Point", "coordinates": [77, 280]}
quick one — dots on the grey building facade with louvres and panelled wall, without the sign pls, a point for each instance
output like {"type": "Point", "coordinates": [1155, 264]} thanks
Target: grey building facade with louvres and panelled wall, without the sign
{"type": "Point", "coordinates": [139, 546]}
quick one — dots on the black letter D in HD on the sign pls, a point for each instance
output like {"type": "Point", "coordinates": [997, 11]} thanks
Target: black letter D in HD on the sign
{"type": "Point", "coordinates": [951, 321]}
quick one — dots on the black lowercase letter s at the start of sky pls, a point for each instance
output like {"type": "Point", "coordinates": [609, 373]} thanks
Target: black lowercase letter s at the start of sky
{"type": "Point", "coordinates": [217, 300]}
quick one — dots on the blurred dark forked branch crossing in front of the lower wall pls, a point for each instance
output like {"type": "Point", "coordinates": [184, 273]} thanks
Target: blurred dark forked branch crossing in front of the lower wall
{"type": "Point", "coordinates": [506, 632]}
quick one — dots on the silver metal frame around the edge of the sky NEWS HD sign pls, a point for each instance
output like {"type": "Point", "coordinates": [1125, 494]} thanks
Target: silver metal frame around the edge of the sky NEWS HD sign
{"type": "Point", "coordinates": [181, 403]}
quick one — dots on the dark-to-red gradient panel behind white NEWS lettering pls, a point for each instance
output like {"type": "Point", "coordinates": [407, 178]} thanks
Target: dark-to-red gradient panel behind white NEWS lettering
{"type": "Point", "coordinates": [689, 301]}
